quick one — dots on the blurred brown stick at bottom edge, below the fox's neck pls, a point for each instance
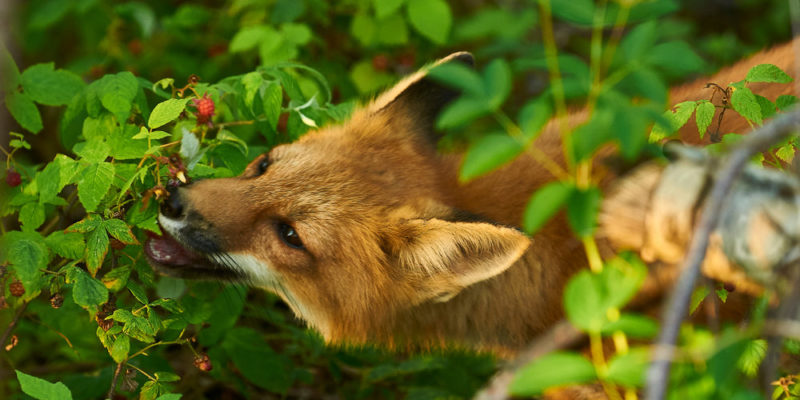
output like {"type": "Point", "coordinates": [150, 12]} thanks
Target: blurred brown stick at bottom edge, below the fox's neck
{"type": "Point", "coordinates": [561, 335]}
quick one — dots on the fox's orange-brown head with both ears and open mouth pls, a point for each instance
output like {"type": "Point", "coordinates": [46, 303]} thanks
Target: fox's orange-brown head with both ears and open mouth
{"type": "Point", "coordinates": [352, 225]}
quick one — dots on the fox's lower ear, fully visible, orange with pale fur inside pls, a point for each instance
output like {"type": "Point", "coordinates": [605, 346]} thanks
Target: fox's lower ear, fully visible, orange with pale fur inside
{"type": "Point", "coordinates": [439, 258]}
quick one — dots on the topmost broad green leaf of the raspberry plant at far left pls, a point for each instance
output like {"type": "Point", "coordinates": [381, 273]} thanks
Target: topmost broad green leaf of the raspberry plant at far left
{"type": "Point", "coordinates": [51, 87]}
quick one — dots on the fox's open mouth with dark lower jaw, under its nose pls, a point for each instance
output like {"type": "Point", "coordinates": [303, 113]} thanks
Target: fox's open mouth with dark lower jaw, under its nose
{"type": "Point", "coordinates": [169, 257]}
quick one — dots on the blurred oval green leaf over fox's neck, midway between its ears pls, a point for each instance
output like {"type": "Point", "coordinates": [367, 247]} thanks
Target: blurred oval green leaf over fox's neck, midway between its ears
{"type": "Point", "coordinates": [487, 154]}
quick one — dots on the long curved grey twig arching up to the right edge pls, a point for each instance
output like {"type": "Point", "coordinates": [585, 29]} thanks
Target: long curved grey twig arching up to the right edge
{"type": "Point", "coordinates": [759, 140]}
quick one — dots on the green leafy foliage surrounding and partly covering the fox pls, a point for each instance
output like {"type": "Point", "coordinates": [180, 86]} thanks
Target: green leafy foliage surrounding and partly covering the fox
{"type": "Point", "coordinates": [74, 227]}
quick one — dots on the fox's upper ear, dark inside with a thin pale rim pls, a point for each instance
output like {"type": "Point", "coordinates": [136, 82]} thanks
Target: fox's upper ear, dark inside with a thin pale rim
{"type": "Point", "coordinates": [418, 96]}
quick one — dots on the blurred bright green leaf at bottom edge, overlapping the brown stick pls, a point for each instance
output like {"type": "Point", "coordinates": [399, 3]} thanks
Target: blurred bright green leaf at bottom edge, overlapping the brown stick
{"type": "Point", "coordinates": [555, 369]}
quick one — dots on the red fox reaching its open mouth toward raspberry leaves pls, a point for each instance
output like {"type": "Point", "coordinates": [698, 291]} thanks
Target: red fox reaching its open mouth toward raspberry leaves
{"type": "Point", "coordinates": [364, 230]}
